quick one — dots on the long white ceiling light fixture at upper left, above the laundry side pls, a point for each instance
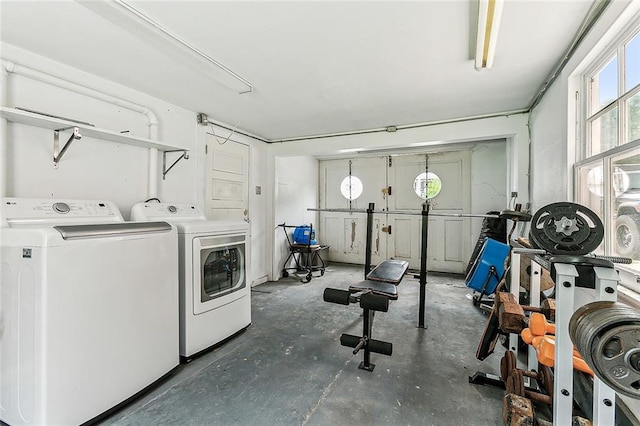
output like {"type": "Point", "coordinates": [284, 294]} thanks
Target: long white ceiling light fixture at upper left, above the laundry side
{"type": "Point", "coordinates": [139, 24]}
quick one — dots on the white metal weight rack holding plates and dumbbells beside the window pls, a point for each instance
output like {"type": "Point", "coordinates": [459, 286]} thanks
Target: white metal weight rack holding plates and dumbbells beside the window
{"type": "Point", "coordinates": [606, 282]}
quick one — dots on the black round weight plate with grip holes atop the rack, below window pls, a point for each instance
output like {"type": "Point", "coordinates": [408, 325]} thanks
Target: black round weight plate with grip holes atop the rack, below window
{"type": "Point", "coordinates": [566, 228]}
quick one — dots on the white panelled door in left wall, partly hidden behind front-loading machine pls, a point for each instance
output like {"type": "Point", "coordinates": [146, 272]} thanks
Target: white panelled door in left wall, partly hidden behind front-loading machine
{"type": "Point", "coordinates": [227, 189]}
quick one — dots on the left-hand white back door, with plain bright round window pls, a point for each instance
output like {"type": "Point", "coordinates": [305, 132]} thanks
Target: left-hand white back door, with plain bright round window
{"type": "Point", "coordinates": [345, 233]}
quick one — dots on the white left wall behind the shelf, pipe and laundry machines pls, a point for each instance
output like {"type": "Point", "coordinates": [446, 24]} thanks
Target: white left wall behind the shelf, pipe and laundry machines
{"type": "Point", "coordinates": [95, 169]}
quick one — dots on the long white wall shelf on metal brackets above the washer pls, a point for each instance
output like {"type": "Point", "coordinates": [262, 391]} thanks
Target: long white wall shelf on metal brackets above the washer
{"type": "Point", "coordinates": [33, 119]}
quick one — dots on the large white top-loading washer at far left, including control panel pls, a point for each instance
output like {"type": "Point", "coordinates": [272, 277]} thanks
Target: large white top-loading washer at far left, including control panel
{"type": "Point", "coordinates": [88, 309]}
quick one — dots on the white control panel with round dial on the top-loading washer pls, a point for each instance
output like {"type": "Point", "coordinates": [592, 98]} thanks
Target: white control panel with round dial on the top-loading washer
{"type": "Point", "coordinates": [27, 211]}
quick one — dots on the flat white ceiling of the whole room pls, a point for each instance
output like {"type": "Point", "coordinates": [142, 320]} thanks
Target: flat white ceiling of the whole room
{"type": "Point", "coordinates": [317, 67]}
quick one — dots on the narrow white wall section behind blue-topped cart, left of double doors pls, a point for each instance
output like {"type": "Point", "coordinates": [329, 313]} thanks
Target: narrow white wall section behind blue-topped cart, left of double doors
{"type": "Point", "coordinates": [296, 190]}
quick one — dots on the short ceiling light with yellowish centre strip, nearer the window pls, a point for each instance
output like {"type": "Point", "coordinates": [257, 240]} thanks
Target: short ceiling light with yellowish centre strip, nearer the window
{"type": "Point", "coordinates": [489, 15]}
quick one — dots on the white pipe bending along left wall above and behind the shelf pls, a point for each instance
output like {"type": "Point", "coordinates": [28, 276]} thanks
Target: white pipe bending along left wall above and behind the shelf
{"type": "Point", "coordinates": [152, 119]}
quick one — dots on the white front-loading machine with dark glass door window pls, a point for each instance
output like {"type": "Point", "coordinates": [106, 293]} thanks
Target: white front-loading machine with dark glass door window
{"type": "Point", "coordinates": [215, 284]}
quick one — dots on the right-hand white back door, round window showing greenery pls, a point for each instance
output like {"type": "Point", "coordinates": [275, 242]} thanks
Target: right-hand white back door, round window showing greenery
{"type": "Point", "coordinates": [449, 237]}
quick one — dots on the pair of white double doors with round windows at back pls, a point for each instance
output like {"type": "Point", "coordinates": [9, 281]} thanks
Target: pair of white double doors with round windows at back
{"type": "Point", "coordinates": [398, 183]}
